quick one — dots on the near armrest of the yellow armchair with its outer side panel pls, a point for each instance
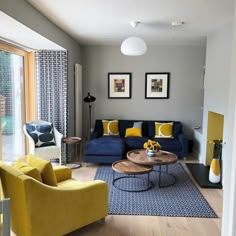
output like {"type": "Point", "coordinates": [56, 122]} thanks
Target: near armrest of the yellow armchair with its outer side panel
{"type": "Point", "coordinates": [65, 208]}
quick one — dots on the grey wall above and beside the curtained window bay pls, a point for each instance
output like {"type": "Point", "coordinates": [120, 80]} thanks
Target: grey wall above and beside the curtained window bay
{"type": "Point", "coordinates": [23, 12]}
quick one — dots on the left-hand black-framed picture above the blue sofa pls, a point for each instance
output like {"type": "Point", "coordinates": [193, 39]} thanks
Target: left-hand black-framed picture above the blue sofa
{"type": "Point", "coordinates": [119, 85]}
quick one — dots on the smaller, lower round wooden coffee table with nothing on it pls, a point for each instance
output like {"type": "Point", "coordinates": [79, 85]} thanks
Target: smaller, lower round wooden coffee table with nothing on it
{"type": "Point", "coordinates": [131, 170]}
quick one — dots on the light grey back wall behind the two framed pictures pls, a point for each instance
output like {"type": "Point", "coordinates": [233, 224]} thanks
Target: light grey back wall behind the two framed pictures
{"type": "Point", "coordinates": [185, 64]}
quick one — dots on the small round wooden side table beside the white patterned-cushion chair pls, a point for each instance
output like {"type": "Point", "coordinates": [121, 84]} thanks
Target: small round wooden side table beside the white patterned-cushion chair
{"type": "Point", "coordinates": [75, 141]}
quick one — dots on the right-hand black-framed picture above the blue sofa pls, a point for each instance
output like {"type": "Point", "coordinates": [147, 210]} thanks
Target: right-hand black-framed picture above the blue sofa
{"type": "Point", "coordinates": [157, 85]}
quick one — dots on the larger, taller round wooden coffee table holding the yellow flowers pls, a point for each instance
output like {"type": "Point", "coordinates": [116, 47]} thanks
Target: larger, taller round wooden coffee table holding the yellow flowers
{"type": "Point", "coordinates": [139, 156]}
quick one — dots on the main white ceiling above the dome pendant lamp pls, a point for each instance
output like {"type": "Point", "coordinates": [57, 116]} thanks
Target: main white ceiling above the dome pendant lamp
{"type": "Point", "coordinates": [106, 22]}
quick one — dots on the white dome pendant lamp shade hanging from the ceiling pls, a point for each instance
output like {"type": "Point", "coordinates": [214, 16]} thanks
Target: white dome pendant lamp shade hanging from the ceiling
{"type": "Point", "coordinates": [133, 46]}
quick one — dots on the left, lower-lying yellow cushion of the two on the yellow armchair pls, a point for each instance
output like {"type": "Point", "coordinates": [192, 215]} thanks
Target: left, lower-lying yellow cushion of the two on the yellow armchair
{"type": "Point", "coordinates": [27, 170]}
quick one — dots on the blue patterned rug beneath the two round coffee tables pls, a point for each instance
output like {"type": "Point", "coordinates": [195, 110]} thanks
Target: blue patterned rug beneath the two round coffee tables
{"type": "Point", "coordinates": [180, 200]}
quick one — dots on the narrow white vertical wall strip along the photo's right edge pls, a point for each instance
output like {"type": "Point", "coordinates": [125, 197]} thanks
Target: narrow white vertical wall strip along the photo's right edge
{"type": "Point", "coordinates": [229, 198]}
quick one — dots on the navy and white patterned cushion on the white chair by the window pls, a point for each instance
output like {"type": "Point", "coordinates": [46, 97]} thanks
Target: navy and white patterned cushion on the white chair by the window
{"type": "Point", "coordinates": [42, 134]}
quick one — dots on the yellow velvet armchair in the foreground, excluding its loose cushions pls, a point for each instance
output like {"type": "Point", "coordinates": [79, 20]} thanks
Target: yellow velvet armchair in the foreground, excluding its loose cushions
{"type": "Point", "coordinates": [38, 209]}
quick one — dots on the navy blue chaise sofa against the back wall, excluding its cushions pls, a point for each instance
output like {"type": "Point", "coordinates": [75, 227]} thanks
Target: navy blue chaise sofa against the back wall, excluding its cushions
{"type": "Point", "coordinates": [107, 149]}
